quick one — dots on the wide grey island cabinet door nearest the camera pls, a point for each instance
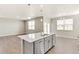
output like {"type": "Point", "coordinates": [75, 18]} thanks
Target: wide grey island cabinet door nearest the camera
{"type": "Point", "coordinates": [39, 46]}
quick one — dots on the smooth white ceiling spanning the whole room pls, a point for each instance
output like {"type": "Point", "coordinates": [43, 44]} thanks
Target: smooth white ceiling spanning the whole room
{"type": "Point", "coordinates": [49, 10]}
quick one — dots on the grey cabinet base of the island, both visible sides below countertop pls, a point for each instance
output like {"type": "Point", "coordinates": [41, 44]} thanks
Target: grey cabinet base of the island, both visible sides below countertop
{"type": "Point", "coordinates": [40, 46]}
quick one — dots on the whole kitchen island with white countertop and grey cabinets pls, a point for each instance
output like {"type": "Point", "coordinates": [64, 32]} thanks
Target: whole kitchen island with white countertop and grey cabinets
{"type": "Point", "coordinates": [36, 43]}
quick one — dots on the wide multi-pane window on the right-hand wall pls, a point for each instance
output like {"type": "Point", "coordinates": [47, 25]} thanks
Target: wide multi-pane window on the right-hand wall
{"type": "Point", "coordinates": [66, 24]}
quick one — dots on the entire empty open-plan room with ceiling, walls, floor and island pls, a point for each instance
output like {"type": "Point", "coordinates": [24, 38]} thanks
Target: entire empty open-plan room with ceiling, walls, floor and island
{"type": "Point", "coordinates": [39, 28]}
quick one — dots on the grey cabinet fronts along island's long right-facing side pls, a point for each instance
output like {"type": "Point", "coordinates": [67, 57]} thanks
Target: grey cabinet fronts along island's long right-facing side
{"type": "Point", "coordinates": [43, 45]}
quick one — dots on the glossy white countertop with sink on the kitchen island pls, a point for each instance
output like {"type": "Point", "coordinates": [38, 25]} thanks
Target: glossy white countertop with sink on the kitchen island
{"type": "Point", "coordinates": [33, 37]}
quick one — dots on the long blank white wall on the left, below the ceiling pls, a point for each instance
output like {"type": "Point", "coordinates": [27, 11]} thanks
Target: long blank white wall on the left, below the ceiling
{"type": "Point", "coordinates": [10, 27]}
